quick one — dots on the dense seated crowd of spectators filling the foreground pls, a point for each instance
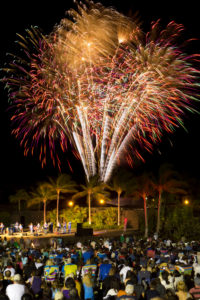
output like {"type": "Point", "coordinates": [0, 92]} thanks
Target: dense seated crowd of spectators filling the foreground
{"type": "Point", "coordinates": [99, 268]}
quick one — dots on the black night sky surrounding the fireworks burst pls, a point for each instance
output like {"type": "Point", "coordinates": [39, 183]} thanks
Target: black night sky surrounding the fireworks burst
{"type": "Point", "coordinates": [182, 148]}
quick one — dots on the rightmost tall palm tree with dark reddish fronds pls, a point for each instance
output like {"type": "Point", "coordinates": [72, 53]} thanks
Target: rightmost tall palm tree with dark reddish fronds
{"type": "Point", "coordinates": [167, 181]}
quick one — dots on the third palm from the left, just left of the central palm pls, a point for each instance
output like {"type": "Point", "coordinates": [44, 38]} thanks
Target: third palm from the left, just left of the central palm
{"type": "Point", "coordinates": [62, 184]}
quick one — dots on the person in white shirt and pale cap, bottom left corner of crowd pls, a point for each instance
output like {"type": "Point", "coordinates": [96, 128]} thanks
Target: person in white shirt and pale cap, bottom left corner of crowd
{"type": "Point", "coordinates": [16, 290]}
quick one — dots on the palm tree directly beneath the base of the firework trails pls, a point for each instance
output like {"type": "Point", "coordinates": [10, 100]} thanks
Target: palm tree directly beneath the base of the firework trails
{"type": "Point", "coordinates": [92, 189]}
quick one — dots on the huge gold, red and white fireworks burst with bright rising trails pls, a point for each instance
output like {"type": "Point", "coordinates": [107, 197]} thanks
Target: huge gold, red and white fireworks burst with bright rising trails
{"type": "Point", "coordinates": [98, 82]}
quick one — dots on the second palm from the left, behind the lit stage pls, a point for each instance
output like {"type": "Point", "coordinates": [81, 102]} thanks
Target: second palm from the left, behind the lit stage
{"type": "Point", "coordinates": [42, 193]}
